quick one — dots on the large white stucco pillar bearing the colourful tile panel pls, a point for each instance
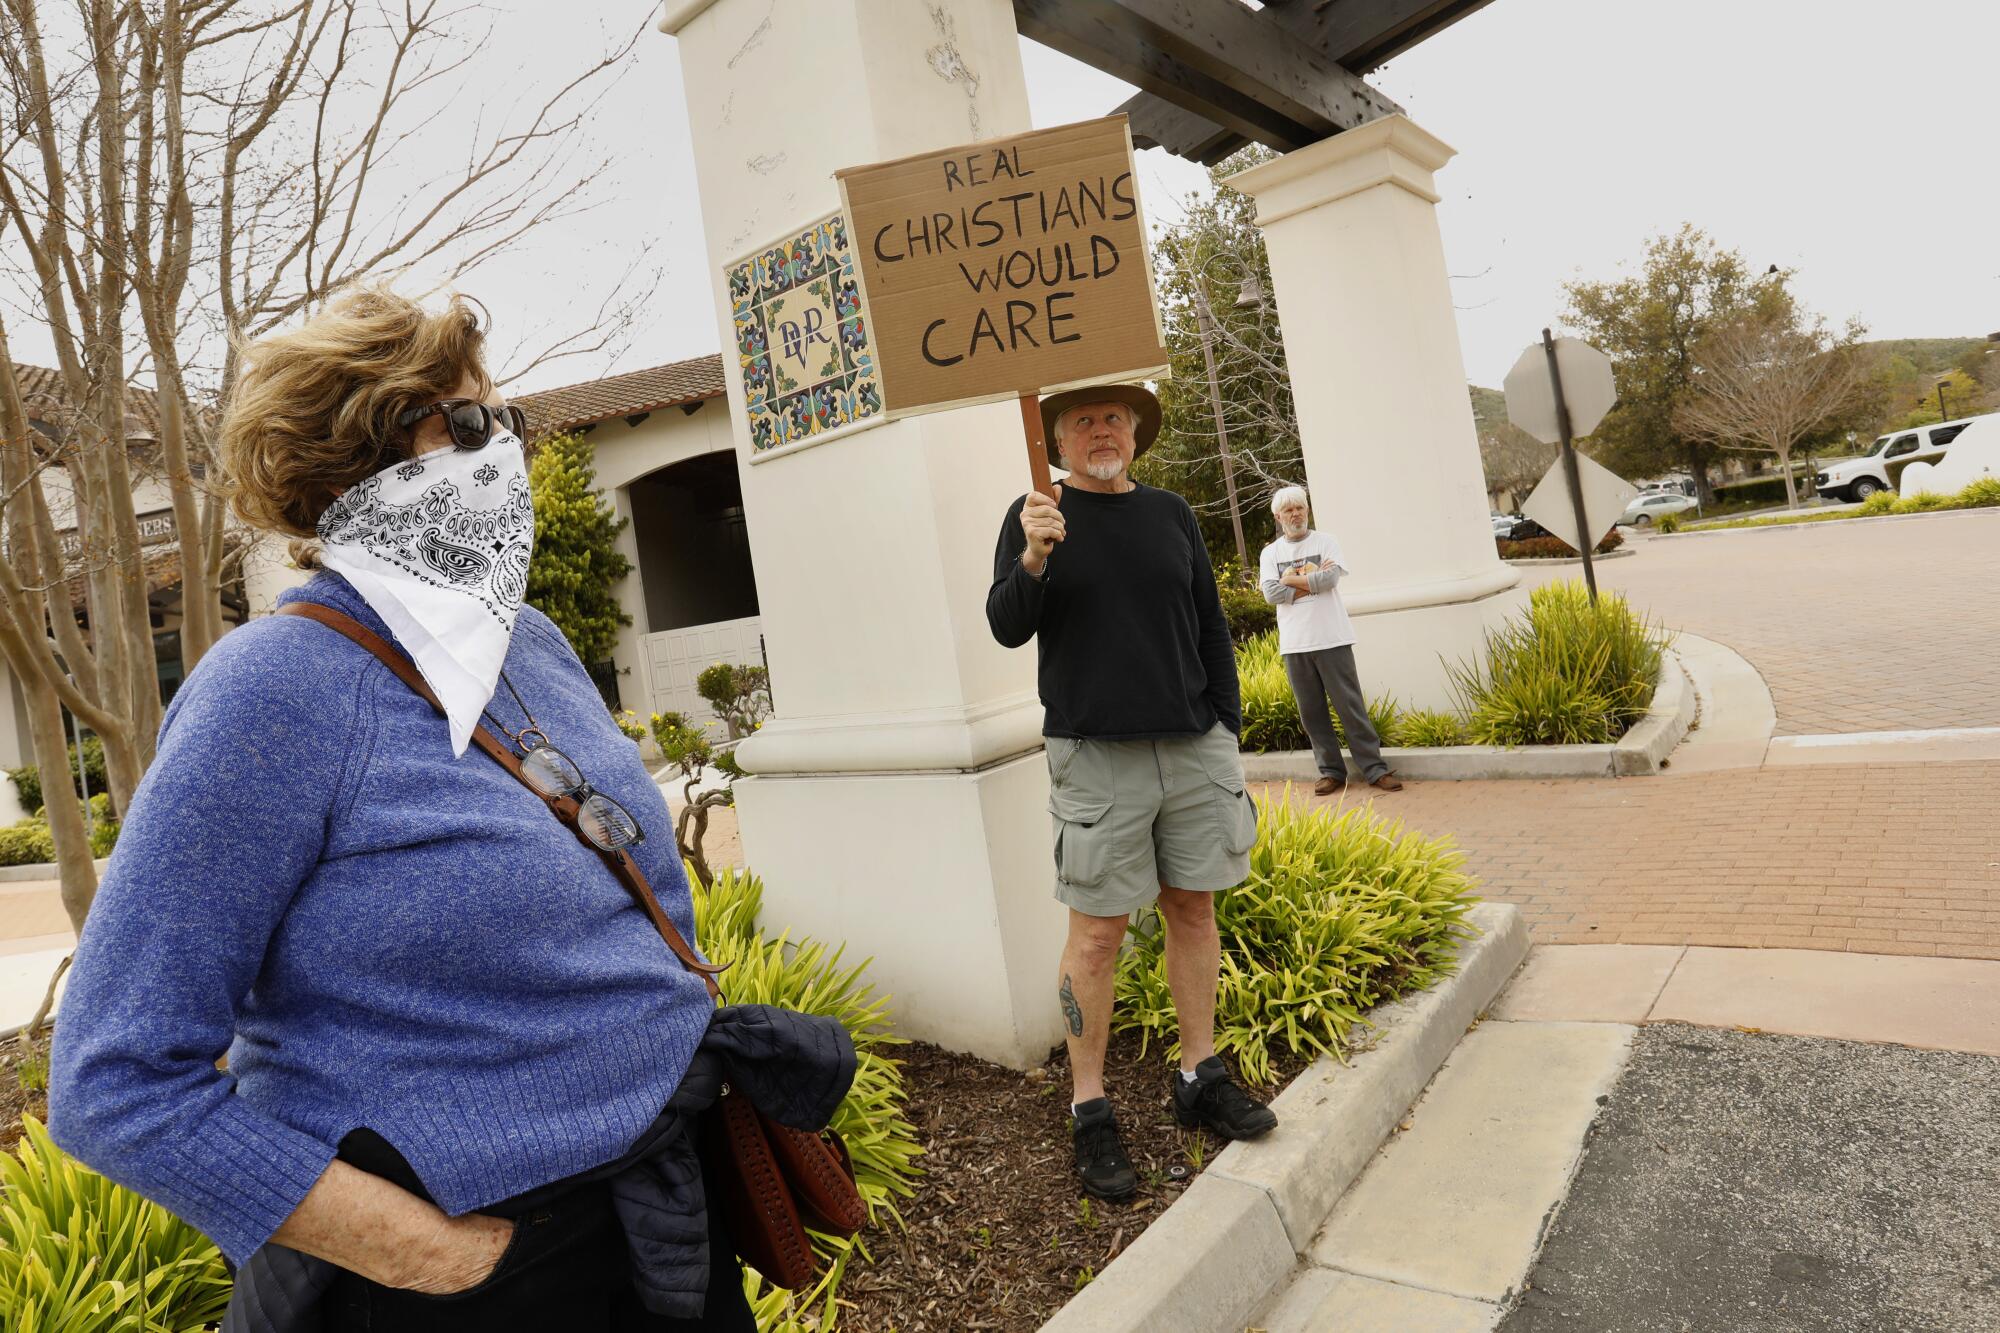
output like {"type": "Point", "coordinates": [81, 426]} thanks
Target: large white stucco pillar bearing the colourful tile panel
{"type": "Point", "coordinates": [901, 798]}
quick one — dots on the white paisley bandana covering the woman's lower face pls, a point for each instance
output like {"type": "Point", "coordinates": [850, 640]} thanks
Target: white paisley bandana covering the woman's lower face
{"type": "Point", "coordinates": [439, 547]}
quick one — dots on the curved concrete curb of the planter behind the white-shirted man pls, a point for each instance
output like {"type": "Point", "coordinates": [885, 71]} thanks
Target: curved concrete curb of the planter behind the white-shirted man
{"type": "Point", "coordinates": [1641, 752]}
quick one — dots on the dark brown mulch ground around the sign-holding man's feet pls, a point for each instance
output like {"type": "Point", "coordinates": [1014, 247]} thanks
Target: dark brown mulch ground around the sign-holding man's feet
{"type": "Point", "coordinates": [999, 1234]}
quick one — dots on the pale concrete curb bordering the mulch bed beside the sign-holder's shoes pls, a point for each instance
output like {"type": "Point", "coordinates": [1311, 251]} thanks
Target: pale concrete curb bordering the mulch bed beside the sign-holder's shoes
{"type": "Point", "coordinates": [1231, 1244]}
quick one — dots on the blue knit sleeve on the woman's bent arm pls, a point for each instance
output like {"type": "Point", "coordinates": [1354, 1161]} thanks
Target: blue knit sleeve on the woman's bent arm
{"type": "Point", "coordinates": [229, 822]}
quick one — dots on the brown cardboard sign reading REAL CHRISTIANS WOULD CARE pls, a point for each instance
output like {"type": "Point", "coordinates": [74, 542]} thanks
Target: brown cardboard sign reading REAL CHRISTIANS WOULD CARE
{"type": "Point", "coordinates": [1009, 267]}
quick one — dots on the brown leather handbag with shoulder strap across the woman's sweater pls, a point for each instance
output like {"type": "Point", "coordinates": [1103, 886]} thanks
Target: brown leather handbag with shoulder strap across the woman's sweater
{"type": "Point", "coordinates": [775, 1182]}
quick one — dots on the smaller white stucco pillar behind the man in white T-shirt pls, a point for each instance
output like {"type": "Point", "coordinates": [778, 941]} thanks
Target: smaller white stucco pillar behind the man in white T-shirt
{"type": "Point", "coordinates": [1379, 381]}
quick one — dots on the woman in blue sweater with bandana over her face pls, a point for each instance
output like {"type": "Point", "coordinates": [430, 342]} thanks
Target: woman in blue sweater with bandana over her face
{"type": "Point", "coordinates": [453, 1040]}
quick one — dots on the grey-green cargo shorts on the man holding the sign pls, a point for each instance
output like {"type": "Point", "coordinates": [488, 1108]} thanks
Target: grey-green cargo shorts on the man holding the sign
{"type": "Point", "coordinates": [1133, 816]}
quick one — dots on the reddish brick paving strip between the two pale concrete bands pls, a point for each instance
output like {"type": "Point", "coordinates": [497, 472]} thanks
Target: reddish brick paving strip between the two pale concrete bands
{"type": "Point", "coordinates": [1869, 860]}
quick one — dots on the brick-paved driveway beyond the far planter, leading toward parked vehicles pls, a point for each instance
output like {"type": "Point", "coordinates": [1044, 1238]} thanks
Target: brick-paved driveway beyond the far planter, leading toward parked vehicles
{"type": "Point", "coordinates": [1855, 625]}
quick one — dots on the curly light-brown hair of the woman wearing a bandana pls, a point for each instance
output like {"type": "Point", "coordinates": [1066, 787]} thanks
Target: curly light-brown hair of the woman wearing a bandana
{"type": "Point", "coordinates": [315, 407]}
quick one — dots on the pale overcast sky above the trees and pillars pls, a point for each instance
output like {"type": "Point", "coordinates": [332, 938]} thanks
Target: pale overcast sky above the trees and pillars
{"type": "Point", "coordinates": [1851, 143]}
